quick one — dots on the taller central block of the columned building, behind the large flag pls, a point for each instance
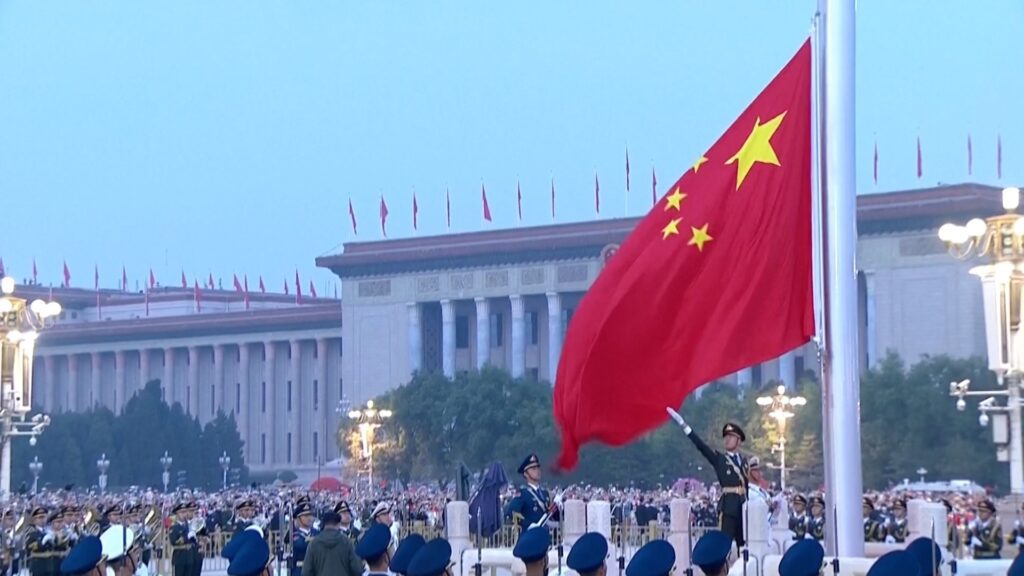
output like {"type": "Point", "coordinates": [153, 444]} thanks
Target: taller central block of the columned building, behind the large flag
{"type": "Point", "coordinates": [457, 303]}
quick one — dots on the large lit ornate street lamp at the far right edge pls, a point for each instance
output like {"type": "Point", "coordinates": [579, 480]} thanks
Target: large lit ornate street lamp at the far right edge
{"type": "Point", "coordinates": [998, 241]}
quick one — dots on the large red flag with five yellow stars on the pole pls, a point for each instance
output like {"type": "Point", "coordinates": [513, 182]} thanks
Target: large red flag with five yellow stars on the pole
{"type": "Point", "coordinates": [716, 278]}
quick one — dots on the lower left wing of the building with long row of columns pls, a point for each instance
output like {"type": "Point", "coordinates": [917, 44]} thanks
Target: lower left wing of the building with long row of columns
{"type": "Point", "coordinates": [273, 364]}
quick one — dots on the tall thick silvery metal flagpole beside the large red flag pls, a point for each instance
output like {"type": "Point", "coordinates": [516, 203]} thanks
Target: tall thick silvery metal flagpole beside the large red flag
{"type": "Point", "coordinates": [840, 360]}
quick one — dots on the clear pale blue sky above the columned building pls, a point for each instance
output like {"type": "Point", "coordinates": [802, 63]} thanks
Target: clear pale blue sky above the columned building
{"type": "Point", "coordinates": [229, 136]}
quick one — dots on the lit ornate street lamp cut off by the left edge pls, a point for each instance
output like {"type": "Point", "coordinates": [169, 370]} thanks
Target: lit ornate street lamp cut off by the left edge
{"type": "Point", "coordinates": [21, 323]}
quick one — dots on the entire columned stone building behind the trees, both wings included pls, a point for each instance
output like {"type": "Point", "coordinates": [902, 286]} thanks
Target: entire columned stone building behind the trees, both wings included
{"type": "Point", "coordinates": [451, 304]}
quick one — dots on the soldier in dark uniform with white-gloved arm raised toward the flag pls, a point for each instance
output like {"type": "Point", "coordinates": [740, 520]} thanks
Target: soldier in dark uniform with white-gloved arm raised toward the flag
{"type": "Point", "coordinates": [732, 470]}
